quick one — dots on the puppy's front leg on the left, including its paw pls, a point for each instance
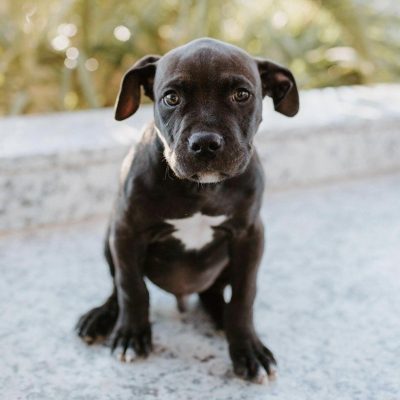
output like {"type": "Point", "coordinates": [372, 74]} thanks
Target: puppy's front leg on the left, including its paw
{"type": "Point", "coordinates": [132, 329]}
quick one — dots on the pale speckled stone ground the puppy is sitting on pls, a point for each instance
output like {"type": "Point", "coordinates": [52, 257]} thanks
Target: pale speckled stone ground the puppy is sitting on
{"type": "Point", "coordinates": [328, 306]}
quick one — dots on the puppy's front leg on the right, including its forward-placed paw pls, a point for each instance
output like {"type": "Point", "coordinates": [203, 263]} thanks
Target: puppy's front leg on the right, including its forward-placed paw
{"type": "Point", "coordinates": [246, 350]}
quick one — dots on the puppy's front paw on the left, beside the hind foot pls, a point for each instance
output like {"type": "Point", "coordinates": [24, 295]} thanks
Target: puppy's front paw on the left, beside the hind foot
{"type": "Point", "coordinates": [126, 336]}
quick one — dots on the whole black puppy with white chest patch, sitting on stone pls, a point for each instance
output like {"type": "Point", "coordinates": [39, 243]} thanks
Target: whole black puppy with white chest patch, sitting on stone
{"type": "Point", "coordinates": [187, 212]}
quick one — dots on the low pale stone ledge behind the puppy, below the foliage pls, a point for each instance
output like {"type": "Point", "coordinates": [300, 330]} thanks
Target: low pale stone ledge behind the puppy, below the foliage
{"type": "Point", "coordinates": [64, 167]}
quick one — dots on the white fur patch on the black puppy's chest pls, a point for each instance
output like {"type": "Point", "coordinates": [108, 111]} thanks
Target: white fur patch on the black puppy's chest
{"type": "Point", "coordinates": [195, 231]}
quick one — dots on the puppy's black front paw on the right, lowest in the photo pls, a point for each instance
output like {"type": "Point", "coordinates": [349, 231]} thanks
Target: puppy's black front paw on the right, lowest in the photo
{"type": "Point", "coordinates": [248, 356]}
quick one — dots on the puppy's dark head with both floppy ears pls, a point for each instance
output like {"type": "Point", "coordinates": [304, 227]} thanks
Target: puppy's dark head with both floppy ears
{"type": "Point", "coordinates": [207, 105]}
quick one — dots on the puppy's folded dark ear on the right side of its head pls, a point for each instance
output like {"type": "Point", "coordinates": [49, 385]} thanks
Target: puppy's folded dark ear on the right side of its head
{"type": "Point", "coordinates": [279, 83]}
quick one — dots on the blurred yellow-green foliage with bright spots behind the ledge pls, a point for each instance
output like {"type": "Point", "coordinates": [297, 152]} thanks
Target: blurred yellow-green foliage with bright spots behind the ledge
{"type": "Point", "coordinates": [71, 54]}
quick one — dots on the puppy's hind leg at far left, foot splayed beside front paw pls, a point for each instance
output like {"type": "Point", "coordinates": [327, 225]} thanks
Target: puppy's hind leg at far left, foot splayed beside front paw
{"type": "Point", "coordinates": [97, 324]}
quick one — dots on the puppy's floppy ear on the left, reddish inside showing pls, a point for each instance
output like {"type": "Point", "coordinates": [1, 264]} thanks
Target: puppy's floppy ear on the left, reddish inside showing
{"type": "Point", "coordinates": [141, 74]}
